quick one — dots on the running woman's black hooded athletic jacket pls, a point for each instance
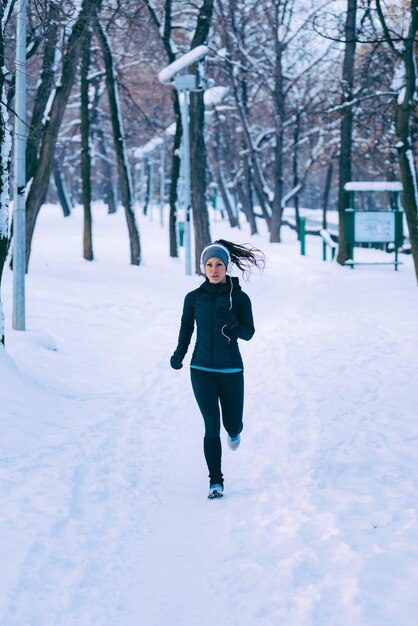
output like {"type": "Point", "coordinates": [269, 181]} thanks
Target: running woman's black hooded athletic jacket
{"type": "Point", "coordinates": [213, 306]}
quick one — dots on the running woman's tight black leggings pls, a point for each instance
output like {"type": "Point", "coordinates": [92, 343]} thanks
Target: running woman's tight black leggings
{"type": "Point", "coordinates": [210, 390]}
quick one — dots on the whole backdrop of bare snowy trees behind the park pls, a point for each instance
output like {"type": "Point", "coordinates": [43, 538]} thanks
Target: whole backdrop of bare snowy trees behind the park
{"type": "Point", "coordinates": [299, 98]}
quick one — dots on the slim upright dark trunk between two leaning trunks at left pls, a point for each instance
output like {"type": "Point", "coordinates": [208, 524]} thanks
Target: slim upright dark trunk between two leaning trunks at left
{"type": "Point", "coordinates": [85, 148]}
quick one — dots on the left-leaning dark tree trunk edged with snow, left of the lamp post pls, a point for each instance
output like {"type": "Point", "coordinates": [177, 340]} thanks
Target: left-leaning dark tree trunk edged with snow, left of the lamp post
{"type": "Point", "coordinates": [120, 146]}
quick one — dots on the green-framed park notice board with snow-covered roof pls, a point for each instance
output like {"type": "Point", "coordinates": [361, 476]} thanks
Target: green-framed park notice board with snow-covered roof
{"type": "Point", "coordinates": [370, 225]}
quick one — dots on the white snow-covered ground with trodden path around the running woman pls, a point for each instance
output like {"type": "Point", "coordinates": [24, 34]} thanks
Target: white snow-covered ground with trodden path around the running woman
{"type": "Point", "coordinates": [104, 515]}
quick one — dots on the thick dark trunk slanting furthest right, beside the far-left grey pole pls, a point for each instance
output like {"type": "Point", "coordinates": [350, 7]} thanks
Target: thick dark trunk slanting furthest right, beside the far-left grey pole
{"type": "Point", "coordinates": [45, 161]}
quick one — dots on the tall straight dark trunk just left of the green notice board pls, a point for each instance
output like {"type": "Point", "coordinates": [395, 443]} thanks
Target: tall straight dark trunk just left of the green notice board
{"type": "Point", "coordinates": [346, 124]}
